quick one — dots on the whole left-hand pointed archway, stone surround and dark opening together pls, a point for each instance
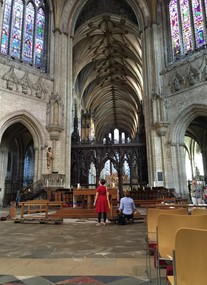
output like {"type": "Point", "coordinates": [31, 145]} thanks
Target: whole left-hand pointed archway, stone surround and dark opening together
{"type": "Point", "coordinates": [21, 154]}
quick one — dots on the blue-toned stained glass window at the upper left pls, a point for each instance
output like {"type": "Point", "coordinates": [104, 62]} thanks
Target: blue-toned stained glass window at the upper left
{"type": "Point", "coordinates": [24, 31]}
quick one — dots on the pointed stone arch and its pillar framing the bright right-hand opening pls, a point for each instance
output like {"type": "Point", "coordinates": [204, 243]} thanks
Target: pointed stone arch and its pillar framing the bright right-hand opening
{"type": "Point", "coordinates": [184, 124]}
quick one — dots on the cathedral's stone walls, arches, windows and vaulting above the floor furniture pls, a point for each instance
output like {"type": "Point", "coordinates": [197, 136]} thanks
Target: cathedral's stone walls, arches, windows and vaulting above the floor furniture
{"type": "Point", "coordinates": [116, 89]}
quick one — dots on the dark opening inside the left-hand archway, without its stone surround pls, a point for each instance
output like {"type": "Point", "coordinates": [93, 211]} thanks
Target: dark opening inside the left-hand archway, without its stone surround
{"type": "Point", "coordinates": [18, 156]}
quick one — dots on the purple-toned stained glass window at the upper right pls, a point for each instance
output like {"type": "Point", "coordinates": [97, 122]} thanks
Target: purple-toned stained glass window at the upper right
{"type": "Point", "coordinates": [188, 22]}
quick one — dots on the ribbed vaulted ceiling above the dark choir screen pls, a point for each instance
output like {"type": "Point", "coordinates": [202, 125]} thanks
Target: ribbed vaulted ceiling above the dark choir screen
{"type": "Point", "coordinates": [107, 67]}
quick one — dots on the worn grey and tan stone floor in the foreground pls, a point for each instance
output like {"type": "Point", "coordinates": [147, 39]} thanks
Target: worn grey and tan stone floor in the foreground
{"type": "Point", "coordinates": [76, 252]}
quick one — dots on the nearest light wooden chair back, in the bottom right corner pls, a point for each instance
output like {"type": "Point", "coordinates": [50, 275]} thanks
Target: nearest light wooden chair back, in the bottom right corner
{"type": "Point", "coordinates": [190, 257]}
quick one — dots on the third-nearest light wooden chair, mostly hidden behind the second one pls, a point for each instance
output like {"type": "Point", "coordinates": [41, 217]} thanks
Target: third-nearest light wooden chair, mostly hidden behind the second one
{"type": "Point", "coordinates": [151, 235]}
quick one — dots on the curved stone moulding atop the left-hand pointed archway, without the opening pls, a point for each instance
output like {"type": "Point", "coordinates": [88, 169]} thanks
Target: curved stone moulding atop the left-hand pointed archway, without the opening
{"type": "Point", "coordinates": [34, 127]}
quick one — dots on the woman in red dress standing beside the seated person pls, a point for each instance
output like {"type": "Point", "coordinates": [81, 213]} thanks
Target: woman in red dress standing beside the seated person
{"type": "Point", "coordinates": [101, 201]}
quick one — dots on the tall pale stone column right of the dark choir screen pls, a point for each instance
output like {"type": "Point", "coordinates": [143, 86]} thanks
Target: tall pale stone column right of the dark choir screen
{"type": "Point", "coordinates": [155, 121]}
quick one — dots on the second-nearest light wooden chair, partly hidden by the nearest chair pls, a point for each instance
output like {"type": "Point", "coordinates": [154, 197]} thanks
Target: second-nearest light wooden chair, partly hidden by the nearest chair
{"type": "Point", "coordinates": [166, 232]}
